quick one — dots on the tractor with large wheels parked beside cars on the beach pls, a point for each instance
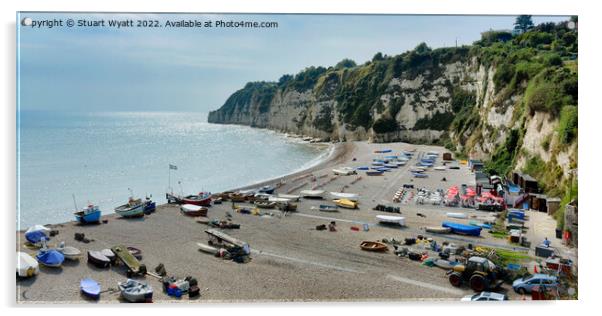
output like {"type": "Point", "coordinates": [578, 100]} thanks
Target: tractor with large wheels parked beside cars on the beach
{"type": "Point", "coordinates": [479, 273]}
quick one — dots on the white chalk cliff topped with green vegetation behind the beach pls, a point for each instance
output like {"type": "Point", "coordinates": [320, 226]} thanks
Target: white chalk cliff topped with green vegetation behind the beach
{"type": "Point", "coordinates": [510, 102]}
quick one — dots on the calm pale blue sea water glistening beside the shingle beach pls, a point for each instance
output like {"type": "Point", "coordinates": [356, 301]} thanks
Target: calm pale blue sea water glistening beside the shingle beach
{"type": "Point", "coordinates": [99, 156]}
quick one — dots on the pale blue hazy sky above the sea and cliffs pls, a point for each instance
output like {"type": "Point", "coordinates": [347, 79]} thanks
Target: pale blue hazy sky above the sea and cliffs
{"type": "Point", "coordinates": [196, 69]}
